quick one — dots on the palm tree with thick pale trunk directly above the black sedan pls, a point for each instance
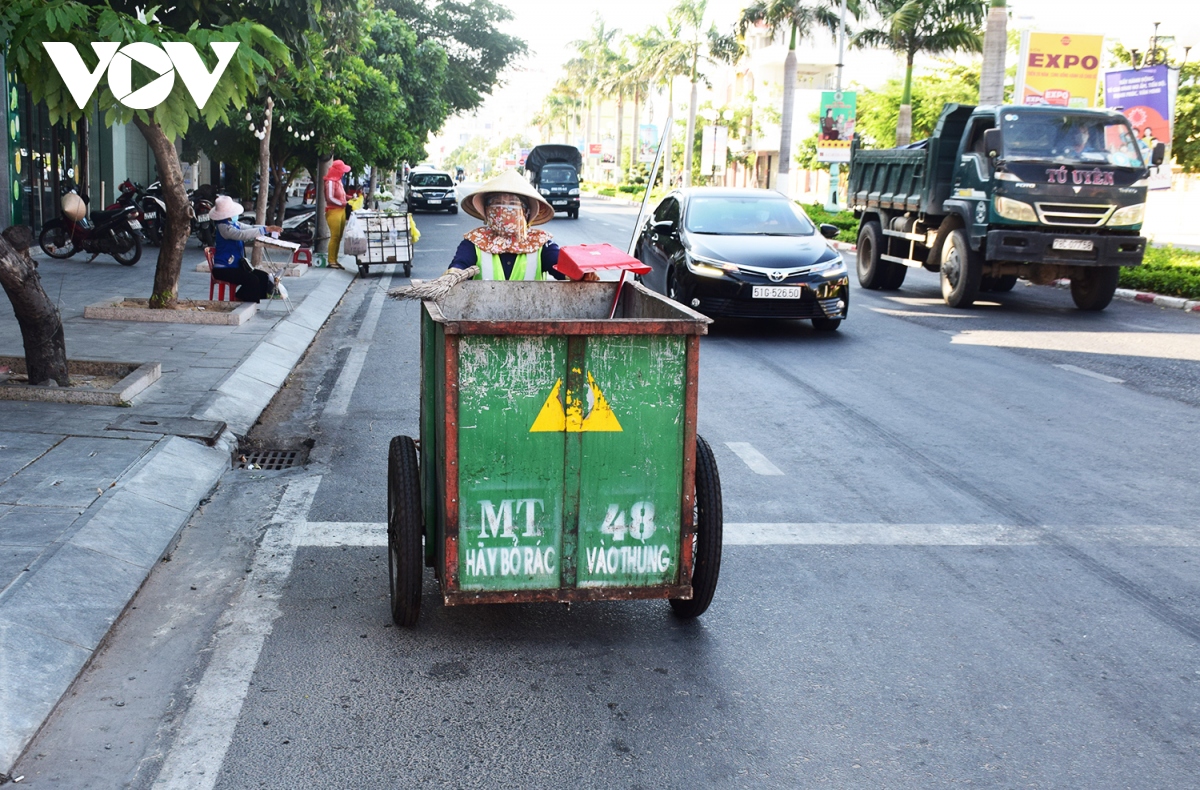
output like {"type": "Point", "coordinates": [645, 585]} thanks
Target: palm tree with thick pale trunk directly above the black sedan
{"type": "Point", "coordinates": [801, 20]}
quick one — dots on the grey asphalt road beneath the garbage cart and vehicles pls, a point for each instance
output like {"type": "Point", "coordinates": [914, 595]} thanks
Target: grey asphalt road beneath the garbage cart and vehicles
{"type": "Point", "coordinates": [962, 549]}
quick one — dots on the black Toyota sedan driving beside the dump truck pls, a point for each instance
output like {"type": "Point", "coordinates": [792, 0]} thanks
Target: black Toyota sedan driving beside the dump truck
{"type": "Point", "coordinates": [745, 254]}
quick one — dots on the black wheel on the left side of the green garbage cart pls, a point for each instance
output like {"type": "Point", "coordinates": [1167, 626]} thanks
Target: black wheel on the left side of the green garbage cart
{"type": "Point", "coordinates": [406, 526]}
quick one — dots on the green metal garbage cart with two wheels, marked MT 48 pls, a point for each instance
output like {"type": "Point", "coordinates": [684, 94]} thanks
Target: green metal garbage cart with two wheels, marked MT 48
{"type": "Point", "coordinates": [559, 458]}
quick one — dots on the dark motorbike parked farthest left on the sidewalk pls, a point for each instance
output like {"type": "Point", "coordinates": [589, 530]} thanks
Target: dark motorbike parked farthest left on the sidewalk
{"type": "Point", "coordinates": [113, 234]}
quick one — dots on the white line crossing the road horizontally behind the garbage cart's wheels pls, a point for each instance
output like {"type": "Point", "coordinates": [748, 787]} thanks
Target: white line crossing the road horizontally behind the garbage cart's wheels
{"type": "Point", "coordinates": [370, 535]}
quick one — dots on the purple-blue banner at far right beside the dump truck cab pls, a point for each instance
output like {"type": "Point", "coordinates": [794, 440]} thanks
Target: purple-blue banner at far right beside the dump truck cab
{"type": "Point", "coordinates": [1147, 97]}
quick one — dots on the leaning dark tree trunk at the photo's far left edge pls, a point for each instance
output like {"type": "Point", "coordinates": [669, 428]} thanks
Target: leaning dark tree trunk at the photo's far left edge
{"type": "Point", "coordinates": [41, 327]}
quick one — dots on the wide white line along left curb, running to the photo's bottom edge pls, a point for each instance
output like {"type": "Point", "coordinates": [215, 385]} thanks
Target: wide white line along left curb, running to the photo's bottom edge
{"type": "Point", "coordinates": [200, 750]}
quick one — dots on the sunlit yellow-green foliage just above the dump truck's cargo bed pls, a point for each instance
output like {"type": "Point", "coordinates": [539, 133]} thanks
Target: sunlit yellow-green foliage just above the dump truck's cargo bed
{"type": "Point", "coordinates": [878, 110]}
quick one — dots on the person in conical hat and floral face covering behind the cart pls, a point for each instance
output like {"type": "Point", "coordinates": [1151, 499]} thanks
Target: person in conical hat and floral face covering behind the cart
{"type": "Point", "coordinates": [507, 248]}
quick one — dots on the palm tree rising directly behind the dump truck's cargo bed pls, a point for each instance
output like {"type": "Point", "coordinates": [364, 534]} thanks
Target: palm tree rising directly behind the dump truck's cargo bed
{"type": "Point", "coordinates": [932, 27]}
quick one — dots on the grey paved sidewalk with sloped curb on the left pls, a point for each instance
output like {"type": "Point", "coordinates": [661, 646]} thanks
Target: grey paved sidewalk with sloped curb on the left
{"type": "Point", "coordinates": [93, 496]}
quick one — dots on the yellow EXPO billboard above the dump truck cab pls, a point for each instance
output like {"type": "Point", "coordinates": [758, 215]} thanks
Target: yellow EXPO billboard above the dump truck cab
{"type": "Point", "coordinates": [1058, 69]}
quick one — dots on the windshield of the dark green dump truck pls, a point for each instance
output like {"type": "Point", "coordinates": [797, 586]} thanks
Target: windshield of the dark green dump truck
{"type": "Point", "coordinates": [1071, 139]}
